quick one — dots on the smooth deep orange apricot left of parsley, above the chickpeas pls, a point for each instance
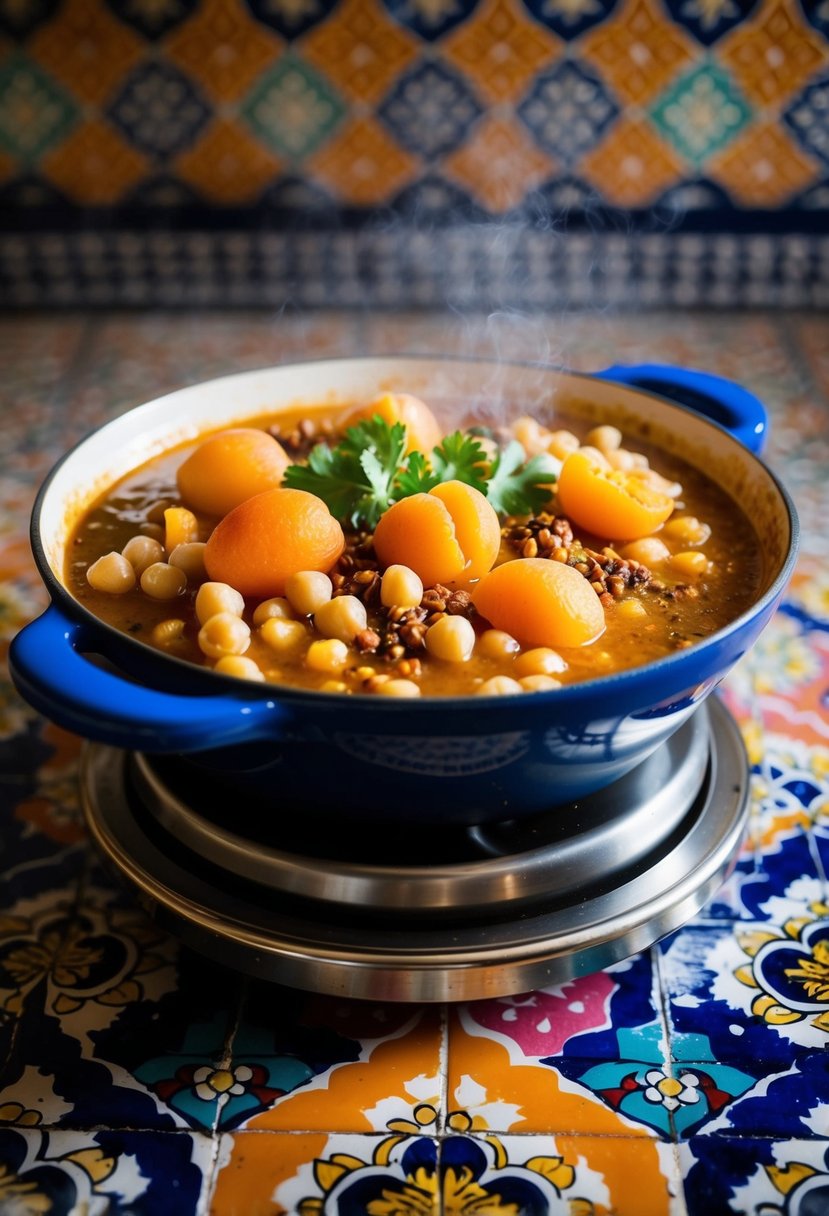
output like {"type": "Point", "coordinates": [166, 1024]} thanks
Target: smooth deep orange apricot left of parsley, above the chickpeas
{"type": "Point", "coordinates": [262, 543]}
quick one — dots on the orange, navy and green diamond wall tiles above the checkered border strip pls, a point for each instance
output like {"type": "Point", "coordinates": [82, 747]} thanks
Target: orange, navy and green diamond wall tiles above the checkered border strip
{"type": "Point", "coordinates": [618, 114]}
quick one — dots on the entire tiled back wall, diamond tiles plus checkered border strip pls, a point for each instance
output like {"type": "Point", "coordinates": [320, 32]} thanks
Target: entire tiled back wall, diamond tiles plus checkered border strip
{"type": "Point", "coordinates": [475, 153]}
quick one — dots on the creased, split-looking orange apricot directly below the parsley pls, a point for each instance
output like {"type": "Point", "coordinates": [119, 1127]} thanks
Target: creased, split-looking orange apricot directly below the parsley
{"type": "Point", "coordinates": [447, 536]}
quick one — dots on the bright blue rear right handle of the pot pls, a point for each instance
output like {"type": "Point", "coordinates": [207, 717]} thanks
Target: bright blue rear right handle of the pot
{"type": "Point", "coordinates": [717, 398]}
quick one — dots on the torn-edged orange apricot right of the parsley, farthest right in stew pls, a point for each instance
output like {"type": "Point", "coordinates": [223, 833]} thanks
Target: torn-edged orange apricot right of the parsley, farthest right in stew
{"type": "Point", "coordinates": [610, 503]}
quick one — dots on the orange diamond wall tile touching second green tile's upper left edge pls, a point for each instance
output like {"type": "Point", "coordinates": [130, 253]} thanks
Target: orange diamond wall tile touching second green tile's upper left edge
{"type": "Point", "coordinates": [223, 48]}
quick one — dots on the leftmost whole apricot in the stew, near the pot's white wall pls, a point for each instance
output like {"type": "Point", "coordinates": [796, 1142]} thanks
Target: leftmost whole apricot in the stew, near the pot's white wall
{"type": "Point", "coordinates": [229, 468]}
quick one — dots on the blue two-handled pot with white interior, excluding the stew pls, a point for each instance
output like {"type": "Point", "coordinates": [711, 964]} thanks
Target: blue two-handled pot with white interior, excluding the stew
{"type": "Point", "coordinates": [435, 759]}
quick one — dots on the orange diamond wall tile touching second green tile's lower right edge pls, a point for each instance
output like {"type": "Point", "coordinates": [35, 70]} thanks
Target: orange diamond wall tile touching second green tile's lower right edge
{"type": "Point", "coordinates": [364, 166]}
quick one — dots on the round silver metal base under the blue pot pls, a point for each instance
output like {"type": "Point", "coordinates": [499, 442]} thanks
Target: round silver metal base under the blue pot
{"type": "Point", "coordinates": [472, 936]}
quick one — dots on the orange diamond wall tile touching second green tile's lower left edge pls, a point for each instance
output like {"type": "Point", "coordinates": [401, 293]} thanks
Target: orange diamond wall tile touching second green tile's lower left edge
{"type": "Point", "coordinates": [227, 166]}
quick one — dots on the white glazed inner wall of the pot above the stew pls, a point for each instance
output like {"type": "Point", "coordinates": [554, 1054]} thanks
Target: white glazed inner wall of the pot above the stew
{"type": "Point", "coordinates": [487, 389]}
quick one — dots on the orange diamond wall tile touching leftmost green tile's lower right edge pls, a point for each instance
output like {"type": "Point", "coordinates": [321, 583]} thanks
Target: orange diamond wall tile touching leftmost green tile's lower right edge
{"type": "Point", "coordinates": [95, 166]}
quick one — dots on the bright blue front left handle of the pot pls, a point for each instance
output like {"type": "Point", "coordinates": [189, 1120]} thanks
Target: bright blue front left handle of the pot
{"type": "Point", "coordinates": [54, 675]}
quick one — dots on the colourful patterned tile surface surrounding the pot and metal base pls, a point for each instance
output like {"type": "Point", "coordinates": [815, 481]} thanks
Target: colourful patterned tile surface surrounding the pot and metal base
{"type": "Point", "coordinates": [692, 1080]}
